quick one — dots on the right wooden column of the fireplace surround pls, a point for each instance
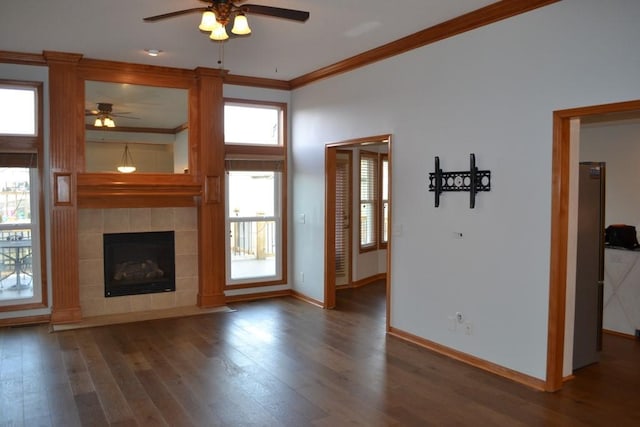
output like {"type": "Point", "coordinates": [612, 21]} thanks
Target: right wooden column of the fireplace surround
{"type": "Point", "coordinates": [211, 209]}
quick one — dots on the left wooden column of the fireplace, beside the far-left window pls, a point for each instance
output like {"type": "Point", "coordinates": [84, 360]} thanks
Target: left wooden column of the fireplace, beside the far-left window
{"type": "Point", "coordinates": [65, 123]}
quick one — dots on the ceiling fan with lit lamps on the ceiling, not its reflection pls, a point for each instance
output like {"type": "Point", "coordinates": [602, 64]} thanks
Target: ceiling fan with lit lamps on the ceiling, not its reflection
{"type": "Point", "coordinates": [219, 13]}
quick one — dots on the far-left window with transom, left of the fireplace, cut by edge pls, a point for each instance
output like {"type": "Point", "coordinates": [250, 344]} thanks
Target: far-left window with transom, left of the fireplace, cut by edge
{"type": "Point", "coordinates": [21, 208]}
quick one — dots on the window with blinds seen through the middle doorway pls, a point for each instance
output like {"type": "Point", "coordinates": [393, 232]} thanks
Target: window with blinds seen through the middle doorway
{"type": "Point", "coordinates": [374, 201]}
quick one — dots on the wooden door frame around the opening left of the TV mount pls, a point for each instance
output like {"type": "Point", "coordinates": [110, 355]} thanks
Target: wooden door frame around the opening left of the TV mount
{"type": "Point", "coordinates": [330, 211]}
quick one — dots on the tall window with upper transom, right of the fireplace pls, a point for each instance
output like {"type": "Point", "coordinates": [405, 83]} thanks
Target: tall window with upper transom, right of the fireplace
{"type": "Point", "coordinates": [255, 160]}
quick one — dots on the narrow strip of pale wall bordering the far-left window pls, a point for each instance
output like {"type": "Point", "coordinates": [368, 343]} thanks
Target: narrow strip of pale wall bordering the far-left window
{"type": "Point", "coordinates": [36, 74]}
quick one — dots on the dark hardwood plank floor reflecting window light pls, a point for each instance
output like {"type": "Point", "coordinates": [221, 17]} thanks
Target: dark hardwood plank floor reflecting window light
{"type": "Point", "coordinates": [283, 362]}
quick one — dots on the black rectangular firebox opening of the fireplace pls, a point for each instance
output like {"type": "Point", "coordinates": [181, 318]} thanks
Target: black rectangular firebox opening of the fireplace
{"type": "Point", "coordinates": [139, 263]}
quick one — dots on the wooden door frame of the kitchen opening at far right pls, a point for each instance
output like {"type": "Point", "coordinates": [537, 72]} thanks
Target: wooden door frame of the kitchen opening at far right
{"type": "Point", "coordinates": [560, 194]}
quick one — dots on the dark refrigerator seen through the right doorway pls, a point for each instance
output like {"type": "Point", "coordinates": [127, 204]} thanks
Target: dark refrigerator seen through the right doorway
{"type": "Point", "coordinates": [587, 333]}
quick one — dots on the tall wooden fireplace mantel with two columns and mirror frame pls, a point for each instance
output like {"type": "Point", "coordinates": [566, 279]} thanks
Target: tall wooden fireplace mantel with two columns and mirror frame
{"type": "Point", "coordinates": [73, 189]}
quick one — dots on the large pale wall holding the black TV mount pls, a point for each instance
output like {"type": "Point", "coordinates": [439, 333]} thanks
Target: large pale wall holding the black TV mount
{"type": "Point", "coordinates": [491, 92]}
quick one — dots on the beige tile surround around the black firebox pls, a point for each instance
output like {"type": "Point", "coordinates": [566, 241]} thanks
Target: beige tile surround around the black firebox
{"type": "Point", "coordinates": [93, 223]}
